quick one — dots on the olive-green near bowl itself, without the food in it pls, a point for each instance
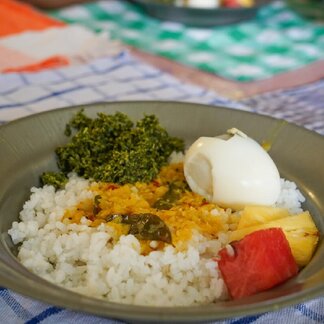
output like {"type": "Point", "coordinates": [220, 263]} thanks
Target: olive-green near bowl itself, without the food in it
{"type": "Point", "coordinates": [27, 149]}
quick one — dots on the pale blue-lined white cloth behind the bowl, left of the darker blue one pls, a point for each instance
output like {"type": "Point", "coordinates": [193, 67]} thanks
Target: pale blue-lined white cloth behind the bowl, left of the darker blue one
{"type": "Point", "coordinates": [120, 77]}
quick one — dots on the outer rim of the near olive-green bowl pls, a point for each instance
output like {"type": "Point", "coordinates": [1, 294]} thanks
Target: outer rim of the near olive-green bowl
{"type": "Point", "coordinates": [62, 297]}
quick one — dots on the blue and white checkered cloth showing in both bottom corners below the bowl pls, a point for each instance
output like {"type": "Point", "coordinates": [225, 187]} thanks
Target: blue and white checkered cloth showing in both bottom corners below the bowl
{"type": "Point", "coordinates": [17, 309]}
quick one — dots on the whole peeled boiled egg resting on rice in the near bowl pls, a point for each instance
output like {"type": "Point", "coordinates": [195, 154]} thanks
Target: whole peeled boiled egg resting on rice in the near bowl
{"type": "Point", "coordinates": [232, 171]}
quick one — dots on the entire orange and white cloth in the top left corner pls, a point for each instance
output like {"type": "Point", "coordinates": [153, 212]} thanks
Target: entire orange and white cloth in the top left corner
{"type": "Point", "coordinates": [31, 41]}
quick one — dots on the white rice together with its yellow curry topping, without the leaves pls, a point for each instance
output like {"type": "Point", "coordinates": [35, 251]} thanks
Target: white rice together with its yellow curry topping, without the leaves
{"type": "Point", "coordinates": [62, 240]}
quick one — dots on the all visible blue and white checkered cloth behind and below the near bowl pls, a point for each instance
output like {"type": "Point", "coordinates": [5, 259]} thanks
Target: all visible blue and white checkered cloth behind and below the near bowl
{"type": "Point", "coordinates": [125, 78]}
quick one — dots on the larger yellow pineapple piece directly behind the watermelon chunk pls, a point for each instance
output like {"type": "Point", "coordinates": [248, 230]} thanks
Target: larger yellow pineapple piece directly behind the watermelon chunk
{"type": "Point", "coordinates": [300, 231]}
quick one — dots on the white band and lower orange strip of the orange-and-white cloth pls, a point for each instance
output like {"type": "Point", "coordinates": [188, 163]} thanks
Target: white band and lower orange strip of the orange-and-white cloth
{"type": "Point", "coordinates": [53, 47]}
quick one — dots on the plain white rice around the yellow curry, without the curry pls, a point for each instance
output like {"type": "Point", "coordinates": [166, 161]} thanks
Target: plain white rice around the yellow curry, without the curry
{"type": "Point", "coordinates": [83, 259]}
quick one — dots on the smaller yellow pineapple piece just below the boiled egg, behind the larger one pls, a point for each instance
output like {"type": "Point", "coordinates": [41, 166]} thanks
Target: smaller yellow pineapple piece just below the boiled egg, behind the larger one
{"type": "Point", "coordinates": [256, 215]}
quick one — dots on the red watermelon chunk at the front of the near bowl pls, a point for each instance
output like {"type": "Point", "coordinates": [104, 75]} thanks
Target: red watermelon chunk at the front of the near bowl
{"type": "Point", "coordinates": [261, 260]}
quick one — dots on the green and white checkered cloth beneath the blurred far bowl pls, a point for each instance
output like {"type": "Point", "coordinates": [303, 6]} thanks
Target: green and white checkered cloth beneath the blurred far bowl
{"type": "Point", "coordinates": [277, 40]}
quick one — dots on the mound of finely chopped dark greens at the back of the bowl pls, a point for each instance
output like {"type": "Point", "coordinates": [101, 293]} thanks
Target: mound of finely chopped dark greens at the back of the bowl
{"type": "Point", "coordinates": [111, 148]}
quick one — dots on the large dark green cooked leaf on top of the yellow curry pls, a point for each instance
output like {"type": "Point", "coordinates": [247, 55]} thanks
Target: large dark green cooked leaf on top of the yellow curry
{"type": "Point", "coordinates": [145, 226]}
